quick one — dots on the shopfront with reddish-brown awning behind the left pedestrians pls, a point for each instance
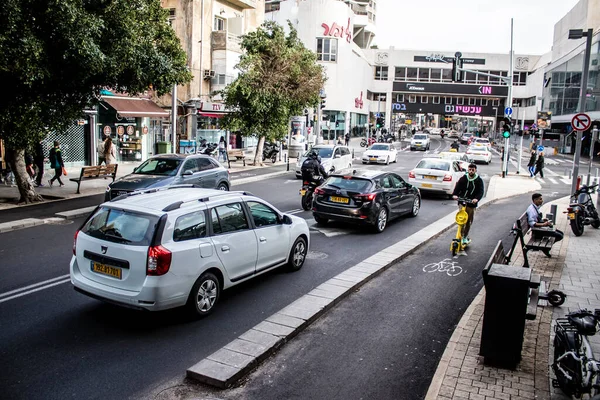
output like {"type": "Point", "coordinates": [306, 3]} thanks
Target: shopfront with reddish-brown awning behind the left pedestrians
{"type": "Point", "coordinates": [135, 126]}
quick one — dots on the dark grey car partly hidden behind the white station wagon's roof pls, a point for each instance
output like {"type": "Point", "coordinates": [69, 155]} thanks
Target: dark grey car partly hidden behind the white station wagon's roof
{"type": "Point", "coordinates": [172, 169]}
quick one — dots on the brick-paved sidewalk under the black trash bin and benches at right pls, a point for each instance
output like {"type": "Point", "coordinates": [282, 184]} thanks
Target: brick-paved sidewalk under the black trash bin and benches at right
{"type": "Point", "coordinates": [461, 373]}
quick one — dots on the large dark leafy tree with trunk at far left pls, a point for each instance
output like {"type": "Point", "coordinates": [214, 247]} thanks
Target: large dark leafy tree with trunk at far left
{"type": "Point", "coordinates": [57, 55]}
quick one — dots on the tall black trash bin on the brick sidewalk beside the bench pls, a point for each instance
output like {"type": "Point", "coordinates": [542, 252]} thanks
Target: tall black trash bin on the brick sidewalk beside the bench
{"type": "Point", "coordinates": [506, 301]}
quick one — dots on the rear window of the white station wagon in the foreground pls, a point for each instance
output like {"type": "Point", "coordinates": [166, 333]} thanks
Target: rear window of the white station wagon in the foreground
{"type": "Point", "coordinates": [121, 226]}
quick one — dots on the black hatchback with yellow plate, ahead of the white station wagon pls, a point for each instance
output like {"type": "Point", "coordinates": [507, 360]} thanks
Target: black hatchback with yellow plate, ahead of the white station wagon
{"type": "Point", "coordinates": [371, 197]}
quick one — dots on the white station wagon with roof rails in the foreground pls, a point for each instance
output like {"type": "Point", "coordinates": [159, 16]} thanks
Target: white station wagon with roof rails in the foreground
{"type": "Point", "coordinates": [182, 247]}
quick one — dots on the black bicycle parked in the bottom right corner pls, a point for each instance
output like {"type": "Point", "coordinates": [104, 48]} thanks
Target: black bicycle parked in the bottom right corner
{"type": "Point", "coordinates": [576, 370]}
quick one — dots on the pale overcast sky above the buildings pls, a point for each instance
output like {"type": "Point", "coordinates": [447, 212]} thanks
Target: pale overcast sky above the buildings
{"type": "Point", "coordinates": [481, 26]}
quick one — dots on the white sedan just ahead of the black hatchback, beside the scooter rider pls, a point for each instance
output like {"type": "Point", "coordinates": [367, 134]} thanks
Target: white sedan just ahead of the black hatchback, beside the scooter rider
{"type": "Point", "coordinates": [436, 175]}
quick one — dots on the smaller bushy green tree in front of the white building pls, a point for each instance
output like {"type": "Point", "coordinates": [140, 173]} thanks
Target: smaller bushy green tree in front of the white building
{"type": "Point", "coordinates": [278, 78]}
